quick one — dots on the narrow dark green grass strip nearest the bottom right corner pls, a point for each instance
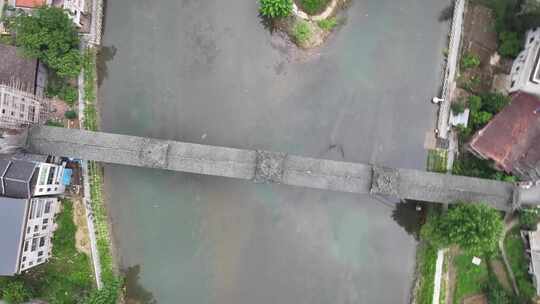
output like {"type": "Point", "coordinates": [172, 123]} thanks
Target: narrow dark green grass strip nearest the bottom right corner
{"type": "Point", "coordinates": [513, 245]}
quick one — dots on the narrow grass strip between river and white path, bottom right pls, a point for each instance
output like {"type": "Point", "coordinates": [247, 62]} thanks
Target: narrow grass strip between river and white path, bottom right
{"type": "Point", "coordinates": [426, 259]}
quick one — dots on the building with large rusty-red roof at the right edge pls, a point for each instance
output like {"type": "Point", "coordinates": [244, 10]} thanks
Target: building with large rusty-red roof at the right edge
{"type": "Point", "coordinates": [512, 138]}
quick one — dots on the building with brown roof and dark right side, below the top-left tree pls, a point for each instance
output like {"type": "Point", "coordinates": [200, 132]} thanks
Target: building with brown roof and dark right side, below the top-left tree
{"type": "Point", "coordinates": [25, 74]}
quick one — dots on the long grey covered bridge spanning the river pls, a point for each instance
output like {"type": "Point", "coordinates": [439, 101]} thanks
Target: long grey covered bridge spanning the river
{"type": "Point", "coordinates": [272, 167]}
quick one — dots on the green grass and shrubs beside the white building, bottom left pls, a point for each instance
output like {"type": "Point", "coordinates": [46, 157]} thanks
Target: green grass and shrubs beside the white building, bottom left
{"type": "Point", "coordinates": [66, 278]}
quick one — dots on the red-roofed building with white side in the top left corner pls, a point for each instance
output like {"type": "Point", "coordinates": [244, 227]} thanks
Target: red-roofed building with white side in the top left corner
{"type": "Point", "coordinates": [75, 8]}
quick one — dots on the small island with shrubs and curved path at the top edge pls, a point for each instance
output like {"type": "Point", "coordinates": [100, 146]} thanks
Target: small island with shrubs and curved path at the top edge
{"type": "Point", "coordinates": [307, 22]}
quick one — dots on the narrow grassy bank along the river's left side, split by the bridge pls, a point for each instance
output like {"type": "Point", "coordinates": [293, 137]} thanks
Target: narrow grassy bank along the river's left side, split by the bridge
{"type": "Point", "coordinates": [111, 282]}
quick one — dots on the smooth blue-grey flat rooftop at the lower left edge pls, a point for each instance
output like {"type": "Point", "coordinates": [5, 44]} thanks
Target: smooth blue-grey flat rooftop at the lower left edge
{"type": "Point", "coordinates": [12, 215]}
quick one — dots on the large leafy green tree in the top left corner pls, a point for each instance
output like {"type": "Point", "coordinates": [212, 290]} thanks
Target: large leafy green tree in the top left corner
{"type": "Point", "coordinates": [49, 35]}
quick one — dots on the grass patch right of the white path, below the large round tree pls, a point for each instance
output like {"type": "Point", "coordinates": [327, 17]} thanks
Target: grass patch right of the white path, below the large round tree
{"type": "Point", "coordinates": [470, 279]}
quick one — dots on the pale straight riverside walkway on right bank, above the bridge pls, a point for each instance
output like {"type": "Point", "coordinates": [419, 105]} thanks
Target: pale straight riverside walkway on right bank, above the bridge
{"type": "Point", "coordinates": [451, 68]}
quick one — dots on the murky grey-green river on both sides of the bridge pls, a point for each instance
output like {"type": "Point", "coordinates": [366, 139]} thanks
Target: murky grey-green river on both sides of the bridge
{"type": "Point", "coordinates": [207, 71]}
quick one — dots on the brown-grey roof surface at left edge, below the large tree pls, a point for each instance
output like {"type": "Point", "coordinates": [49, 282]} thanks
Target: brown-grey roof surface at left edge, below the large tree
{"type": "Point", "coordinates": [14, 68]}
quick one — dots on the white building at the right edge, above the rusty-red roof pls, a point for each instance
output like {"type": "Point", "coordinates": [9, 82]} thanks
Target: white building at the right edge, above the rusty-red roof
{"type": "Point", "coordinates": [525, 73]}
